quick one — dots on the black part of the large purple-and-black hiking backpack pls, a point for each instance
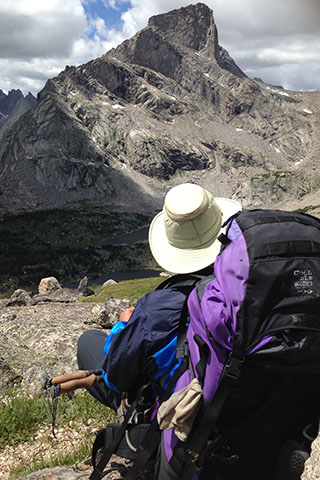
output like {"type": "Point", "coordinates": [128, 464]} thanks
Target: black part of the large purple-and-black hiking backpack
{"type": "Point", "coordinates": [270, 396]}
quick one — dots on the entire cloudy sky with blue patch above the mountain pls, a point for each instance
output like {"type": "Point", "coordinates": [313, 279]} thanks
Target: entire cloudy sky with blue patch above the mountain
{"type": "Point", "coordinates": [276, 40]}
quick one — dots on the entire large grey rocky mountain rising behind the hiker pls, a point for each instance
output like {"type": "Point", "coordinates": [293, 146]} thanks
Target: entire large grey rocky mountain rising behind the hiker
{"type": "Point", "coordinates": [167, 105]}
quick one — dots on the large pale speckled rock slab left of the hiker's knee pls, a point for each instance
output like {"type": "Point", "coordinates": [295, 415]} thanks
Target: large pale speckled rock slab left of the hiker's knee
{"type": "Point", "coordinates": [38, 335]}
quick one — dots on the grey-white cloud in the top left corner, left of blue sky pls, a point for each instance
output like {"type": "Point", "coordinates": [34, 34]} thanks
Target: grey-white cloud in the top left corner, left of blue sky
{"type": "Point", "coordinates": [37, 40]}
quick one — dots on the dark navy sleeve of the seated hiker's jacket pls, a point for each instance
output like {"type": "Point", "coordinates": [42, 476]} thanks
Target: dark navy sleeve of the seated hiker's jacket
{"type": "Point", "coordinates": [152, 325]}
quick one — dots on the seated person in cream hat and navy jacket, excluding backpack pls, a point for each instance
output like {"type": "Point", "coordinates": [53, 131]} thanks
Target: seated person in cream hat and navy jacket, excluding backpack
{"type": "Point", "coordinates": [191, 252]}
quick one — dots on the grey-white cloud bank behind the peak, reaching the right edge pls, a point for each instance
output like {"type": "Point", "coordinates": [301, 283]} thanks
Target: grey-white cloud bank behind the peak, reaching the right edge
{"type": "Point", "coordinates": [278, 41]}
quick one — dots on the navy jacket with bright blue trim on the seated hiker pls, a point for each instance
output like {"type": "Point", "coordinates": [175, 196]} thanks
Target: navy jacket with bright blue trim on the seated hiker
{"type": "Point", "coordinates": [133, 349]}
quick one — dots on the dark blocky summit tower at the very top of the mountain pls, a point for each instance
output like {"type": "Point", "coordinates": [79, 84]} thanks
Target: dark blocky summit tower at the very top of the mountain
{"type": "Point", "coordinates": [193, 27]}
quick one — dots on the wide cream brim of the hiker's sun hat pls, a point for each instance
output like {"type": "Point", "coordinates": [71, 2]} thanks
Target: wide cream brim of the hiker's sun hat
{"type": "Point", "coordinates": [180, 260]}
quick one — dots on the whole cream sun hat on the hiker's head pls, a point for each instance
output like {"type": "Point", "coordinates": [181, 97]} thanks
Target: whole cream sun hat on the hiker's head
{"type": "Point", "coordinates": [183, 236]}
